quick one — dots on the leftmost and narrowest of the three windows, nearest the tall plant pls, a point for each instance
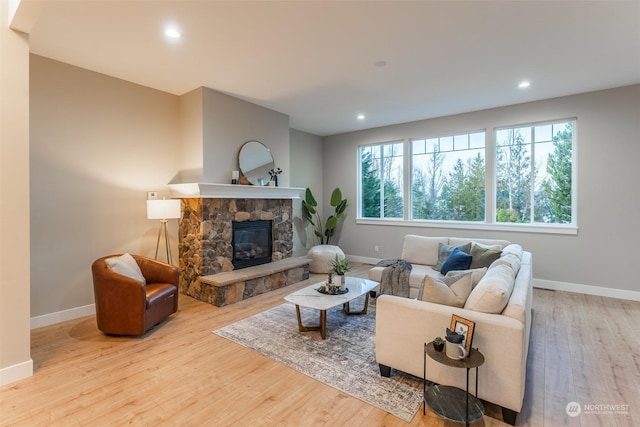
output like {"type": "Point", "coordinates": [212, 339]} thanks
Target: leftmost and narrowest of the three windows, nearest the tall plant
{"type": "Point", "coordinates": [381, 180]}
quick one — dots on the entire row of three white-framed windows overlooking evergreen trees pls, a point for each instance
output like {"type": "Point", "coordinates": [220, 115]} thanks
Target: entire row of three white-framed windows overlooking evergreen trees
{"type": "Point", "coordinates": [523, 175]}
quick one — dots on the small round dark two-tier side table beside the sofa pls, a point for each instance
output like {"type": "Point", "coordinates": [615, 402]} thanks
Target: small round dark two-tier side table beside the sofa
{"type": "Point", "coordinates": [453, 403]}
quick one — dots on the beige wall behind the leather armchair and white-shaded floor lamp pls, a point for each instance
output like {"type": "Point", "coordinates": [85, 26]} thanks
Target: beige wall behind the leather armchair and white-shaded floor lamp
{"type": "Point", "coordinates": [98, 144]}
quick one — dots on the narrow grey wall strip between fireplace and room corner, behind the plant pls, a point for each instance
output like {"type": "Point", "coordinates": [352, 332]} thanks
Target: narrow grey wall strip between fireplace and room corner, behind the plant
{"type": "Point", "coordinates": [306, 172]}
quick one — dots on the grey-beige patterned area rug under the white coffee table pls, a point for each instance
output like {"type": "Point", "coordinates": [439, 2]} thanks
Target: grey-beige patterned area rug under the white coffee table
{"type": "Point", "coordinates": [345, 360]}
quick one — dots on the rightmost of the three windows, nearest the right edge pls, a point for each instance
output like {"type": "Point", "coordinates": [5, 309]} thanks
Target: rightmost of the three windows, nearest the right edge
{"type": "Point", "coordinates": [534, 173]}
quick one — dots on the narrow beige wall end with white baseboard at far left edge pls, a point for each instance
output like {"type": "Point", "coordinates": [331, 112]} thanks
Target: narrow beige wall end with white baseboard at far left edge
{"type": "Point", "coordinates": [15, 349]}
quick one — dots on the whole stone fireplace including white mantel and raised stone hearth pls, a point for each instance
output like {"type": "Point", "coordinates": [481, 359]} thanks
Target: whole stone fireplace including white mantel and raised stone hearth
{"type": "Point", "coordinates": [206, 241]}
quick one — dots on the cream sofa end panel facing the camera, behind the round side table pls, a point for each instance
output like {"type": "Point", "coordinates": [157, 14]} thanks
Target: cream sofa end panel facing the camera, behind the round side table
{"type": "Point", "coordinates": [404, 325]}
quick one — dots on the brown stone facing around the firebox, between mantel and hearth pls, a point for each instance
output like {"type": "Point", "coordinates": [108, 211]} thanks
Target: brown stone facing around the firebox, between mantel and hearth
{"type": "Point", "coordinates": [205, 233]}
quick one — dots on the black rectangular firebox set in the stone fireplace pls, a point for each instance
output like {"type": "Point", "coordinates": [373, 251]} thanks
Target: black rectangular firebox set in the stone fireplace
{"type": "Point", "coordinates": [251, 242]}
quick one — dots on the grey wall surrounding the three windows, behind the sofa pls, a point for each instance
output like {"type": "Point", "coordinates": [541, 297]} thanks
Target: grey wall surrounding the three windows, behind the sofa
{"type": "Point", "coordinates": [605, 248]}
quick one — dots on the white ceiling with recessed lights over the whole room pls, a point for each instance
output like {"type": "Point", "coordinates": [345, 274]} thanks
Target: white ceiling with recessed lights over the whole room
{"type": "Point", "coordinates": [320, 61]}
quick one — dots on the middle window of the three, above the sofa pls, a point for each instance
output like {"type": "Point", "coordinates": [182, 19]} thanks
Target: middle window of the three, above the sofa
{"type": "Point", "coordinates": [448, 178]}
